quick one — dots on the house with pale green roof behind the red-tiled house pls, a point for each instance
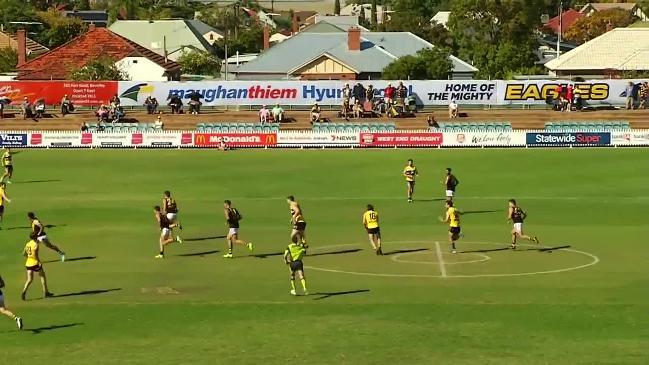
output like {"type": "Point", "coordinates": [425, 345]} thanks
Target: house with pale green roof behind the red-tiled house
{"type": "Point", "coordinates": [169, 38]}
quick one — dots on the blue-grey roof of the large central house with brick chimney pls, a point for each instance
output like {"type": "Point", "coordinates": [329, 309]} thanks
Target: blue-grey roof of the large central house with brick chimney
{"type": "Point", "coordinates": [378, 49]}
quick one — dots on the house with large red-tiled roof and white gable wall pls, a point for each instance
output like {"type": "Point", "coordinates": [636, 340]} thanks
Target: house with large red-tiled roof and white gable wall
{"type": "Point", "coordinates": [139, 63]}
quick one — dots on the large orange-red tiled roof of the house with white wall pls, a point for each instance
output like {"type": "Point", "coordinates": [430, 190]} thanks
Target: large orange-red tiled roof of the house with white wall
{"type": "Point", "coordinates": [97, 42]}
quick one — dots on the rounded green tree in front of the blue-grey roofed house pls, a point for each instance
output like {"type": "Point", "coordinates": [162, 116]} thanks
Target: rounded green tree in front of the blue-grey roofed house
{"type": "Point", "coordinates": [427, 64]}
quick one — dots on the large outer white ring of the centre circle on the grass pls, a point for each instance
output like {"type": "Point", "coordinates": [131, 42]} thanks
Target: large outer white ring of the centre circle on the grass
{"type": "Point", "coordinates": [595, 261]}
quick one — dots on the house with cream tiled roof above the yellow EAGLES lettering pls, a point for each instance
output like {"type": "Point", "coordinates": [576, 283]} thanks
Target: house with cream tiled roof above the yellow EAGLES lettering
{"type": "Point", "coordinates": [612, 53]}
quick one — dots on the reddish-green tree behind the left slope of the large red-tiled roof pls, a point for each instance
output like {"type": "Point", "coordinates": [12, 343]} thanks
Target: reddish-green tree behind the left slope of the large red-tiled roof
{"type": "Point", "coordinates": [59, 28]}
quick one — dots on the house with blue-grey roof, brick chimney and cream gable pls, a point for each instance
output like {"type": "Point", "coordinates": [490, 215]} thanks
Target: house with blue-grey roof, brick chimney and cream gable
{"type": "Point", "coordinates": [340, 55]}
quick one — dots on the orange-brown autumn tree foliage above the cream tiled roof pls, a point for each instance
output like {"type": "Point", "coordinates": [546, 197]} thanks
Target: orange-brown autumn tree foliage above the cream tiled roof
{"type": "Point", "coordinates": [597, 24]}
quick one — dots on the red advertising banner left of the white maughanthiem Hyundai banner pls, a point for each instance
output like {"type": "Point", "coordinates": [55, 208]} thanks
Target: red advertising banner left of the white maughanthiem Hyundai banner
{"type": "Point", "coordinates": [79, 92]}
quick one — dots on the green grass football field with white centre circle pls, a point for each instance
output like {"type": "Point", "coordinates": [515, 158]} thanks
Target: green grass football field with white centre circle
{"type": "Point", "coordinates": [582, 304]}
